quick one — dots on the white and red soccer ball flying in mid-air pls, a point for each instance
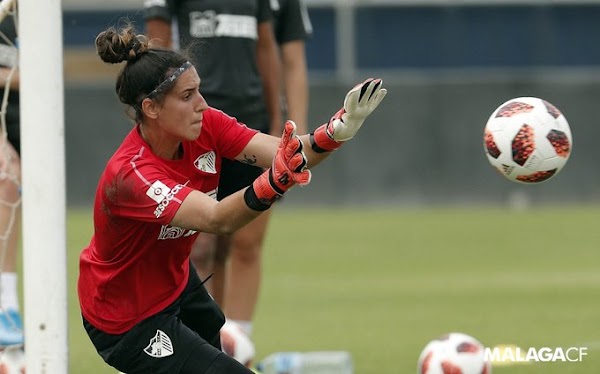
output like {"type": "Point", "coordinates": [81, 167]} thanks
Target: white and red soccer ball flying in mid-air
{"type": "Point", "coordinates": [527, 139]}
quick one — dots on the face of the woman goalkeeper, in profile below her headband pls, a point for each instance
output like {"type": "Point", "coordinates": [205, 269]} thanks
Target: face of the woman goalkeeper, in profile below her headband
{"type": "Point", "coordinates": [181, 112]}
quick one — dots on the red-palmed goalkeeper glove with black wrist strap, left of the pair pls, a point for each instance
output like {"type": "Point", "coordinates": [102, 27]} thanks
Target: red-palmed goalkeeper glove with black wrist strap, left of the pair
{"type": "Point", "coordinates": [288, 169]}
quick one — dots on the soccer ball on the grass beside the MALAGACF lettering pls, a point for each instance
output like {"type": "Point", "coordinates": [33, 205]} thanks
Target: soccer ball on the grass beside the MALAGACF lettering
{"type": "Point", "coordinates": [454, 353]}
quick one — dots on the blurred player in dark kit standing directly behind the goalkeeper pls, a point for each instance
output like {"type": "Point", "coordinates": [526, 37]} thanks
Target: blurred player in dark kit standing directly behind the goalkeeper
{"type": "Point", "coordinates": [233, 42]}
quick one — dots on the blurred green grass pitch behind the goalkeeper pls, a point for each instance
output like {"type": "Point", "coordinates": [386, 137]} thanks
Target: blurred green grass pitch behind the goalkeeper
{"type": "Point", "coordinates": [382, 283]}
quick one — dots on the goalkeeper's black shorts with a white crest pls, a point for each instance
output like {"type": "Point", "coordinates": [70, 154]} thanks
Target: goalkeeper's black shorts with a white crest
{"type": "Point", "coordinates": [183, 338]}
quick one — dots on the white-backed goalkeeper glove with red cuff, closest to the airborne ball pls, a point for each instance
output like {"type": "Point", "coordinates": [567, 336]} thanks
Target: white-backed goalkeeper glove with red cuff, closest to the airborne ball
{"type": "Point", "coordinates": [360, 101]}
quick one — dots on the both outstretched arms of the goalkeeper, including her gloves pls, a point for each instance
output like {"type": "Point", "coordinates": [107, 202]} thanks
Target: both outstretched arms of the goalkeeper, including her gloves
{"type": "Point", "coordinates": [287, 158]}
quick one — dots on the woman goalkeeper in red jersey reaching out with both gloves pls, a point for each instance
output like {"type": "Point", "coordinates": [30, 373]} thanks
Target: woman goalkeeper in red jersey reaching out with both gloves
{"type": "Point", "coordinates": [142, 307]}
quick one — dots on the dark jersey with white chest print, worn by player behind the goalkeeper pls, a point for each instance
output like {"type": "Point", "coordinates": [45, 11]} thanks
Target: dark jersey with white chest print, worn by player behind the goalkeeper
{"type": "Point", "coordinates": [221, 35]}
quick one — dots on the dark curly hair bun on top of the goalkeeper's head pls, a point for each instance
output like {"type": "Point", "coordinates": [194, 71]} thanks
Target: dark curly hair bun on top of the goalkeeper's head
{"type": "Point", "coordinates": [114, 46]}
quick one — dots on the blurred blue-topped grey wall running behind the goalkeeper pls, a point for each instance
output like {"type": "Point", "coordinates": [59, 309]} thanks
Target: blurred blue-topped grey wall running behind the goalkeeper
{"type": "Point", "coordinates": [447, 68]}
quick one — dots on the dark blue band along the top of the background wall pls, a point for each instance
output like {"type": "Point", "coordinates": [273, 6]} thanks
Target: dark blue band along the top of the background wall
{"type": "Point", "coordinates": [426, 37]}
